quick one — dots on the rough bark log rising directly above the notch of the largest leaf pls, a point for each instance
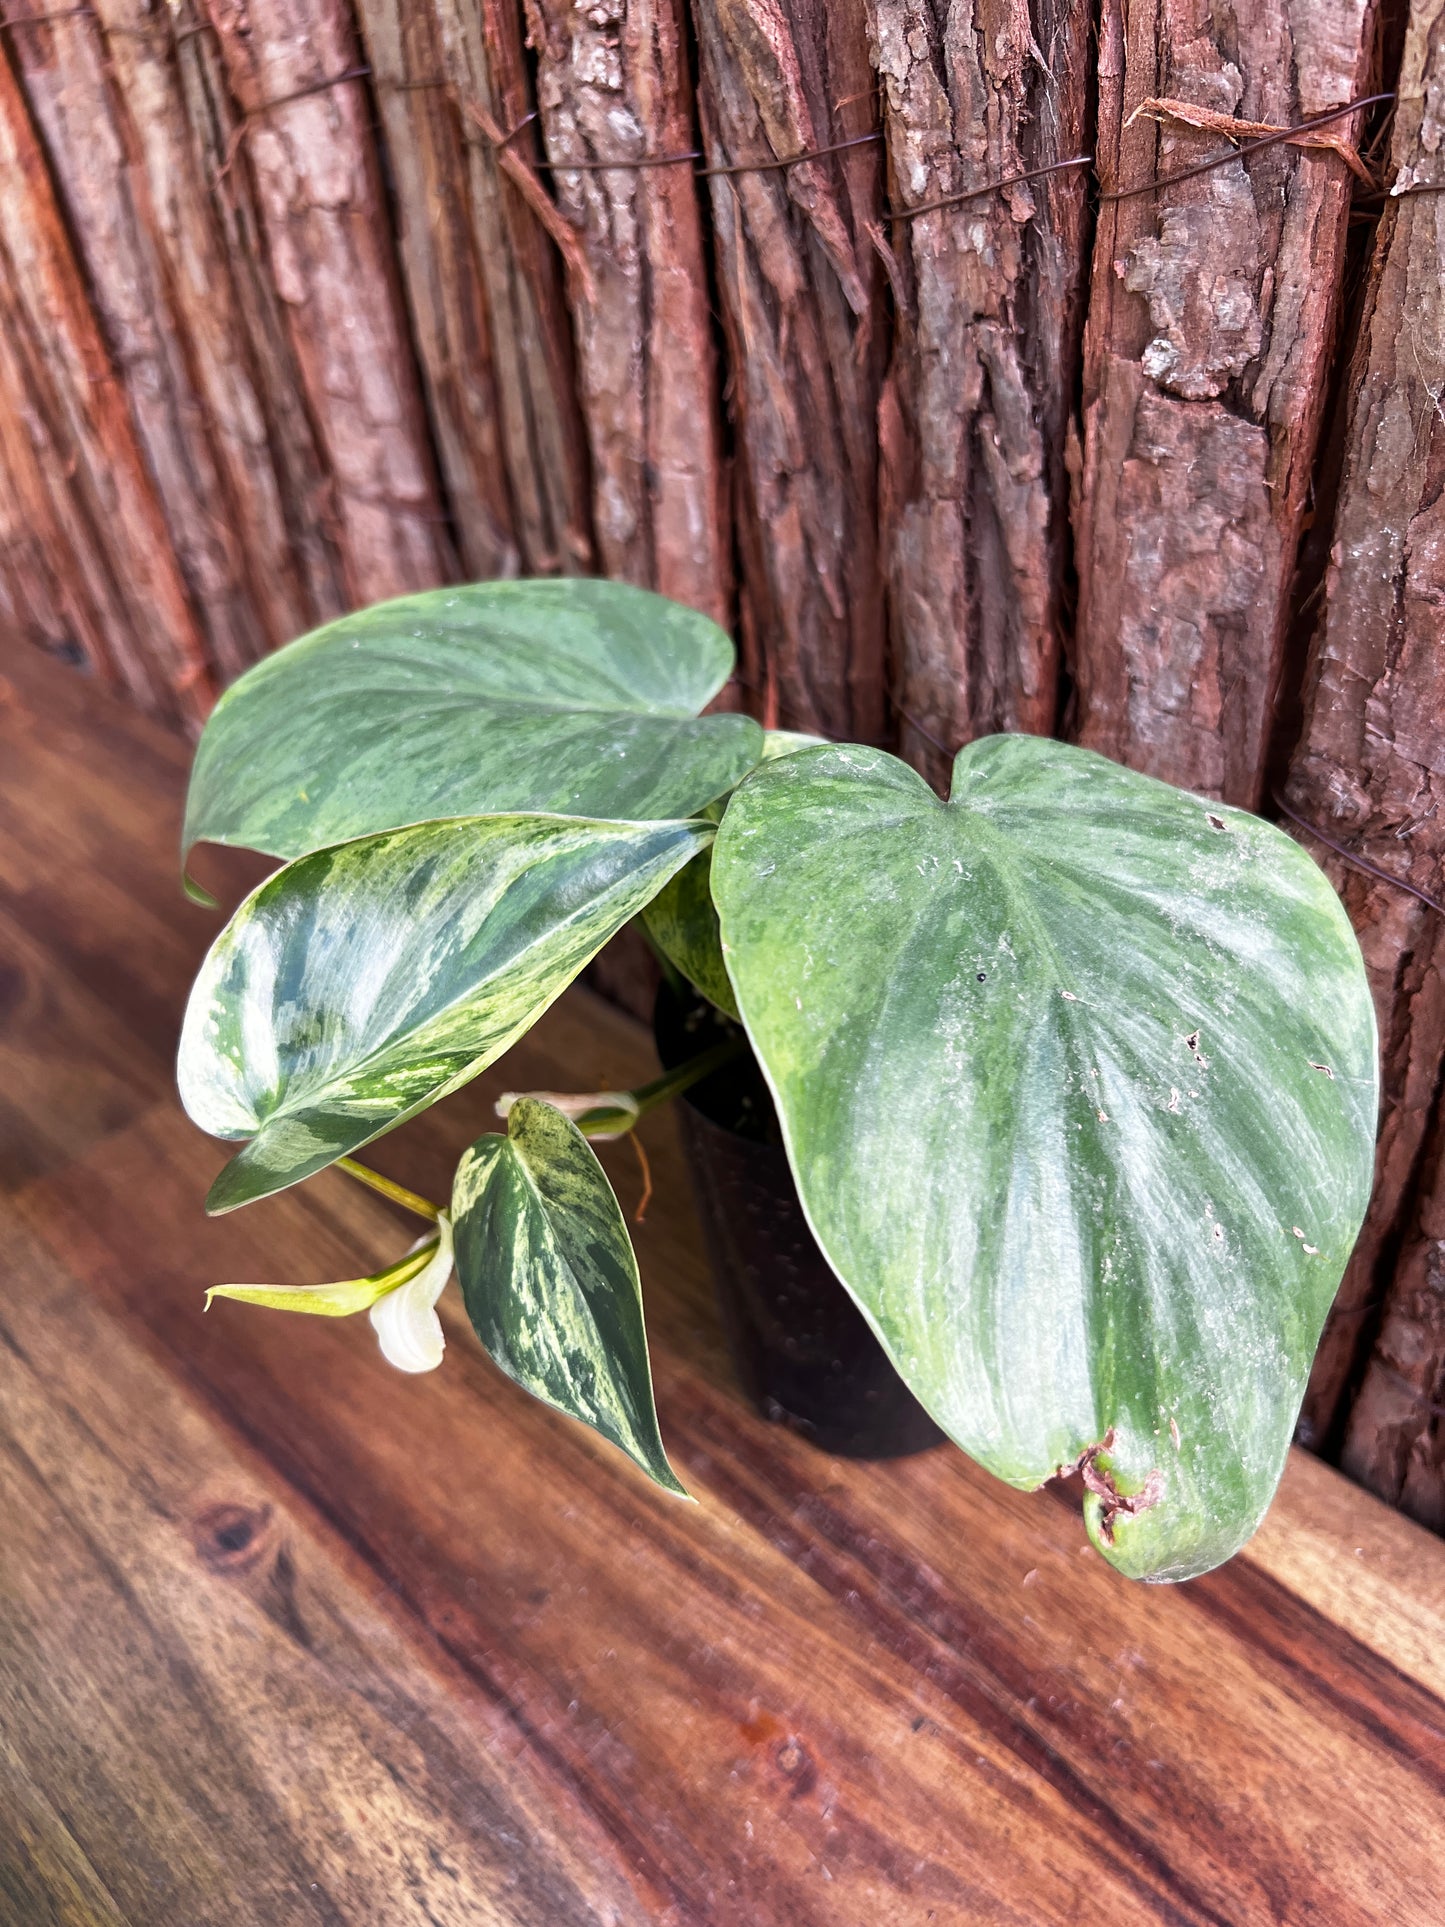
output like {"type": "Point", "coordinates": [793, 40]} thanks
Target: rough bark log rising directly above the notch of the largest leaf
{"type": "Point", "coordinates": [984, 371]}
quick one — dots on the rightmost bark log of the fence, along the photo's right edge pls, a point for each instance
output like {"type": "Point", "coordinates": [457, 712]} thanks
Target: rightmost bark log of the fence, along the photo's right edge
{"type": "Point", "coordinates": [1371, 772]}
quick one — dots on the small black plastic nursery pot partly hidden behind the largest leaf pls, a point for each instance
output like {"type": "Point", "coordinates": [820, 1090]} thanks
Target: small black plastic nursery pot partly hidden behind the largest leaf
{"type": "Point", "coordinates": [802, 1350]}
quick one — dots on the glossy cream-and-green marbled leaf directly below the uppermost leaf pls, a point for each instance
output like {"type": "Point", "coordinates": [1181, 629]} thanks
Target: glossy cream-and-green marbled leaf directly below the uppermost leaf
{"type": "Point", "coordinates": [361, 984]}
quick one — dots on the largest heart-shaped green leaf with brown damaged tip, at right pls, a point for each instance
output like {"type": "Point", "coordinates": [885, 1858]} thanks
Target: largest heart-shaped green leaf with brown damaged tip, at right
{"type": "Point", "coordinates": [1078, 1078]}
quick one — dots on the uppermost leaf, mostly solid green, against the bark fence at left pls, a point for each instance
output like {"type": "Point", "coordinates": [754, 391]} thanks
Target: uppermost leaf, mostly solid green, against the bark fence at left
{"type": "Point", "coordinates": [577, 699]}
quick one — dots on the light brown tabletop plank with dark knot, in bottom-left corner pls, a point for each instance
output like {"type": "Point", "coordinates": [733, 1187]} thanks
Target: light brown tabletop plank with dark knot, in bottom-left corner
{"type": "Point", "coordinates": [224, 1710]}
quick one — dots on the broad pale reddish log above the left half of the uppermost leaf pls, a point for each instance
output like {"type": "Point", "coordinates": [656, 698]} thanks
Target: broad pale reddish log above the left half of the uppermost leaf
{"type": "Point", "coordinates": [311, 155]}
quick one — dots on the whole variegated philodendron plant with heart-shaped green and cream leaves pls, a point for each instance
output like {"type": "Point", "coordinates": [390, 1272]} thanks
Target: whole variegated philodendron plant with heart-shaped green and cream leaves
{"type": "Point", "coordinates": [1076, 1072]}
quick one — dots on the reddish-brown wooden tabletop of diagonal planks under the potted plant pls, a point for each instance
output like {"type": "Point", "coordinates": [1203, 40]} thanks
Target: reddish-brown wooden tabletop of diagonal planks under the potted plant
{"type": "Point", "coordinates": [290, 1639]}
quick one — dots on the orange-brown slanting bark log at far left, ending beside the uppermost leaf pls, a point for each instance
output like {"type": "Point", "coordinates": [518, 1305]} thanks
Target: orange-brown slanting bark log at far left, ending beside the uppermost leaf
{"type": "Point", "coordinates": [72, 456]}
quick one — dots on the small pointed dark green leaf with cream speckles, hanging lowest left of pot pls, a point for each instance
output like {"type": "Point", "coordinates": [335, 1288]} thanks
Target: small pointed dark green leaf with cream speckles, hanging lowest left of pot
{"type": "Point", "coordinates": [550, 1279]}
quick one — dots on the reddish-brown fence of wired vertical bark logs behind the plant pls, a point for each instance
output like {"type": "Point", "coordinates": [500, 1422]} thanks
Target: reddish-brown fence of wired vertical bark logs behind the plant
{"type": "Point", "coordinates": [982, 365]}
